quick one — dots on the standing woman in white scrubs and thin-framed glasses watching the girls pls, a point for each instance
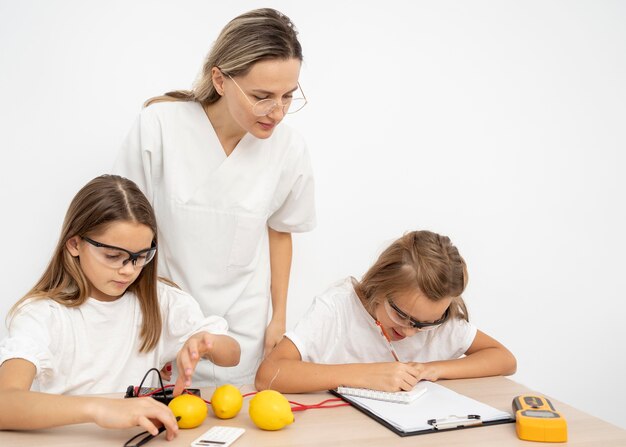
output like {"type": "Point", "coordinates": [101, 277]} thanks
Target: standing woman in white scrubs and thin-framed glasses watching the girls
{"type": "Point", "coordinates": [228, 184]}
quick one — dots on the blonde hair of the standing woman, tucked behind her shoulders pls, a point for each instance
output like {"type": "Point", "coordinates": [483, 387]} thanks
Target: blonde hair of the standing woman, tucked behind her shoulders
{"type": "Point", "coordinates": [261, 34]}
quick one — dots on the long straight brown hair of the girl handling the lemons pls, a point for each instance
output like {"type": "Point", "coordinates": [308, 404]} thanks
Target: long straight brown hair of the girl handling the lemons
{"type": "Point", "coordinates": [101, 202]}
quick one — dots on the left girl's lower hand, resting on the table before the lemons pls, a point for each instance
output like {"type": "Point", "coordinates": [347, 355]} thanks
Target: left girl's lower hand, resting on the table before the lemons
{"type": "Point", "coordinates": [141, 411]}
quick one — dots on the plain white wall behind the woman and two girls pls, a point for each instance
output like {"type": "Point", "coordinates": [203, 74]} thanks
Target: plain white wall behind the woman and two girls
{"type": "Point", "coordinates": [498, 123]}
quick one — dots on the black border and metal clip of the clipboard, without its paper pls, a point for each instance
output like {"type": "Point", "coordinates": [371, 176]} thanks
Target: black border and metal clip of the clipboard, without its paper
{"type": "Point", "coordinates": [438, 425]}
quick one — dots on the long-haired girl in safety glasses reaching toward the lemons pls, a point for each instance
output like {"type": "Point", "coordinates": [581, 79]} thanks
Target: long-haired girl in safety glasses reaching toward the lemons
{"type": "Point", "coordinates": [98, 320]}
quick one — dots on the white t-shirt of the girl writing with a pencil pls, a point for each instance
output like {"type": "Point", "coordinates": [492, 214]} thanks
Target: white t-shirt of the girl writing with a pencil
{"type": "Point", "coordinates": [337, 329]}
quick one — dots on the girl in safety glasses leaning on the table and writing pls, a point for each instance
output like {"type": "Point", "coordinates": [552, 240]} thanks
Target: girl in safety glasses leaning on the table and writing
{"type": "Point", "coordinates": [405, 321]}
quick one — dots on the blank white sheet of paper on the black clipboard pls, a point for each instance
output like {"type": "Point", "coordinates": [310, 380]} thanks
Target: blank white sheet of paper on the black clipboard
{"type": "Point", "coordinates": [438, 402]}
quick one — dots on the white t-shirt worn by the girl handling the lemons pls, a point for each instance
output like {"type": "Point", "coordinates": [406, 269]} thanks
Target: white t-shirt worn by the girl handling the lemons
{"type": "Point", "coordinates": [94, 348]}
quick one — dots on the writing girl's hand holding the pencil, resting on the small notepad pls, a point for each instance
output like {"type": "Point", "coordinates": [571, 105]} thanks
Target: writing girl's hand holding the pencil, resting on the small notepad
{"type": "Point", "coordinates": [392, 376]}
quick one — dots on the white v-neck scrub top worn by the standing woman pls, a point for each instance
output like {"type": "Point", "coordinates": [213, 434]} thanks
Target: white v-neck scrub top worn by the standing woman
{"type": "Point", "coordinates": [213, 212]}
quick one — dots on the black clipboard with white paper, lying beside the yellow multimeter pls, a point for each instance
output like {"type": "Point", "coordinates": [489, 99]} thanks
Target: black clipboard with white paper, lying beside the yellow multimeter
{"type": "Point", "coordinates": [440, 409]}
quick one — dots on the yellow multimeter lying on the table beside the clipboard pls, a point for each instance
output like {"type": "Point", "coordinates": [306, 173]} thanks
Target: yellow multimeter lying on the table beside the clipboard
{"type": "Point", "coordinates": [537, 420]}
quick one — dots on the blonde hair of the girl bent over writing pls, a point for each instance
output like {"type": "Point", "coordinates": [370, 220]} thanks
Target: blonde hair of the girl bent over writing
{"type": "Point", "coordinates": [419, 261]}
